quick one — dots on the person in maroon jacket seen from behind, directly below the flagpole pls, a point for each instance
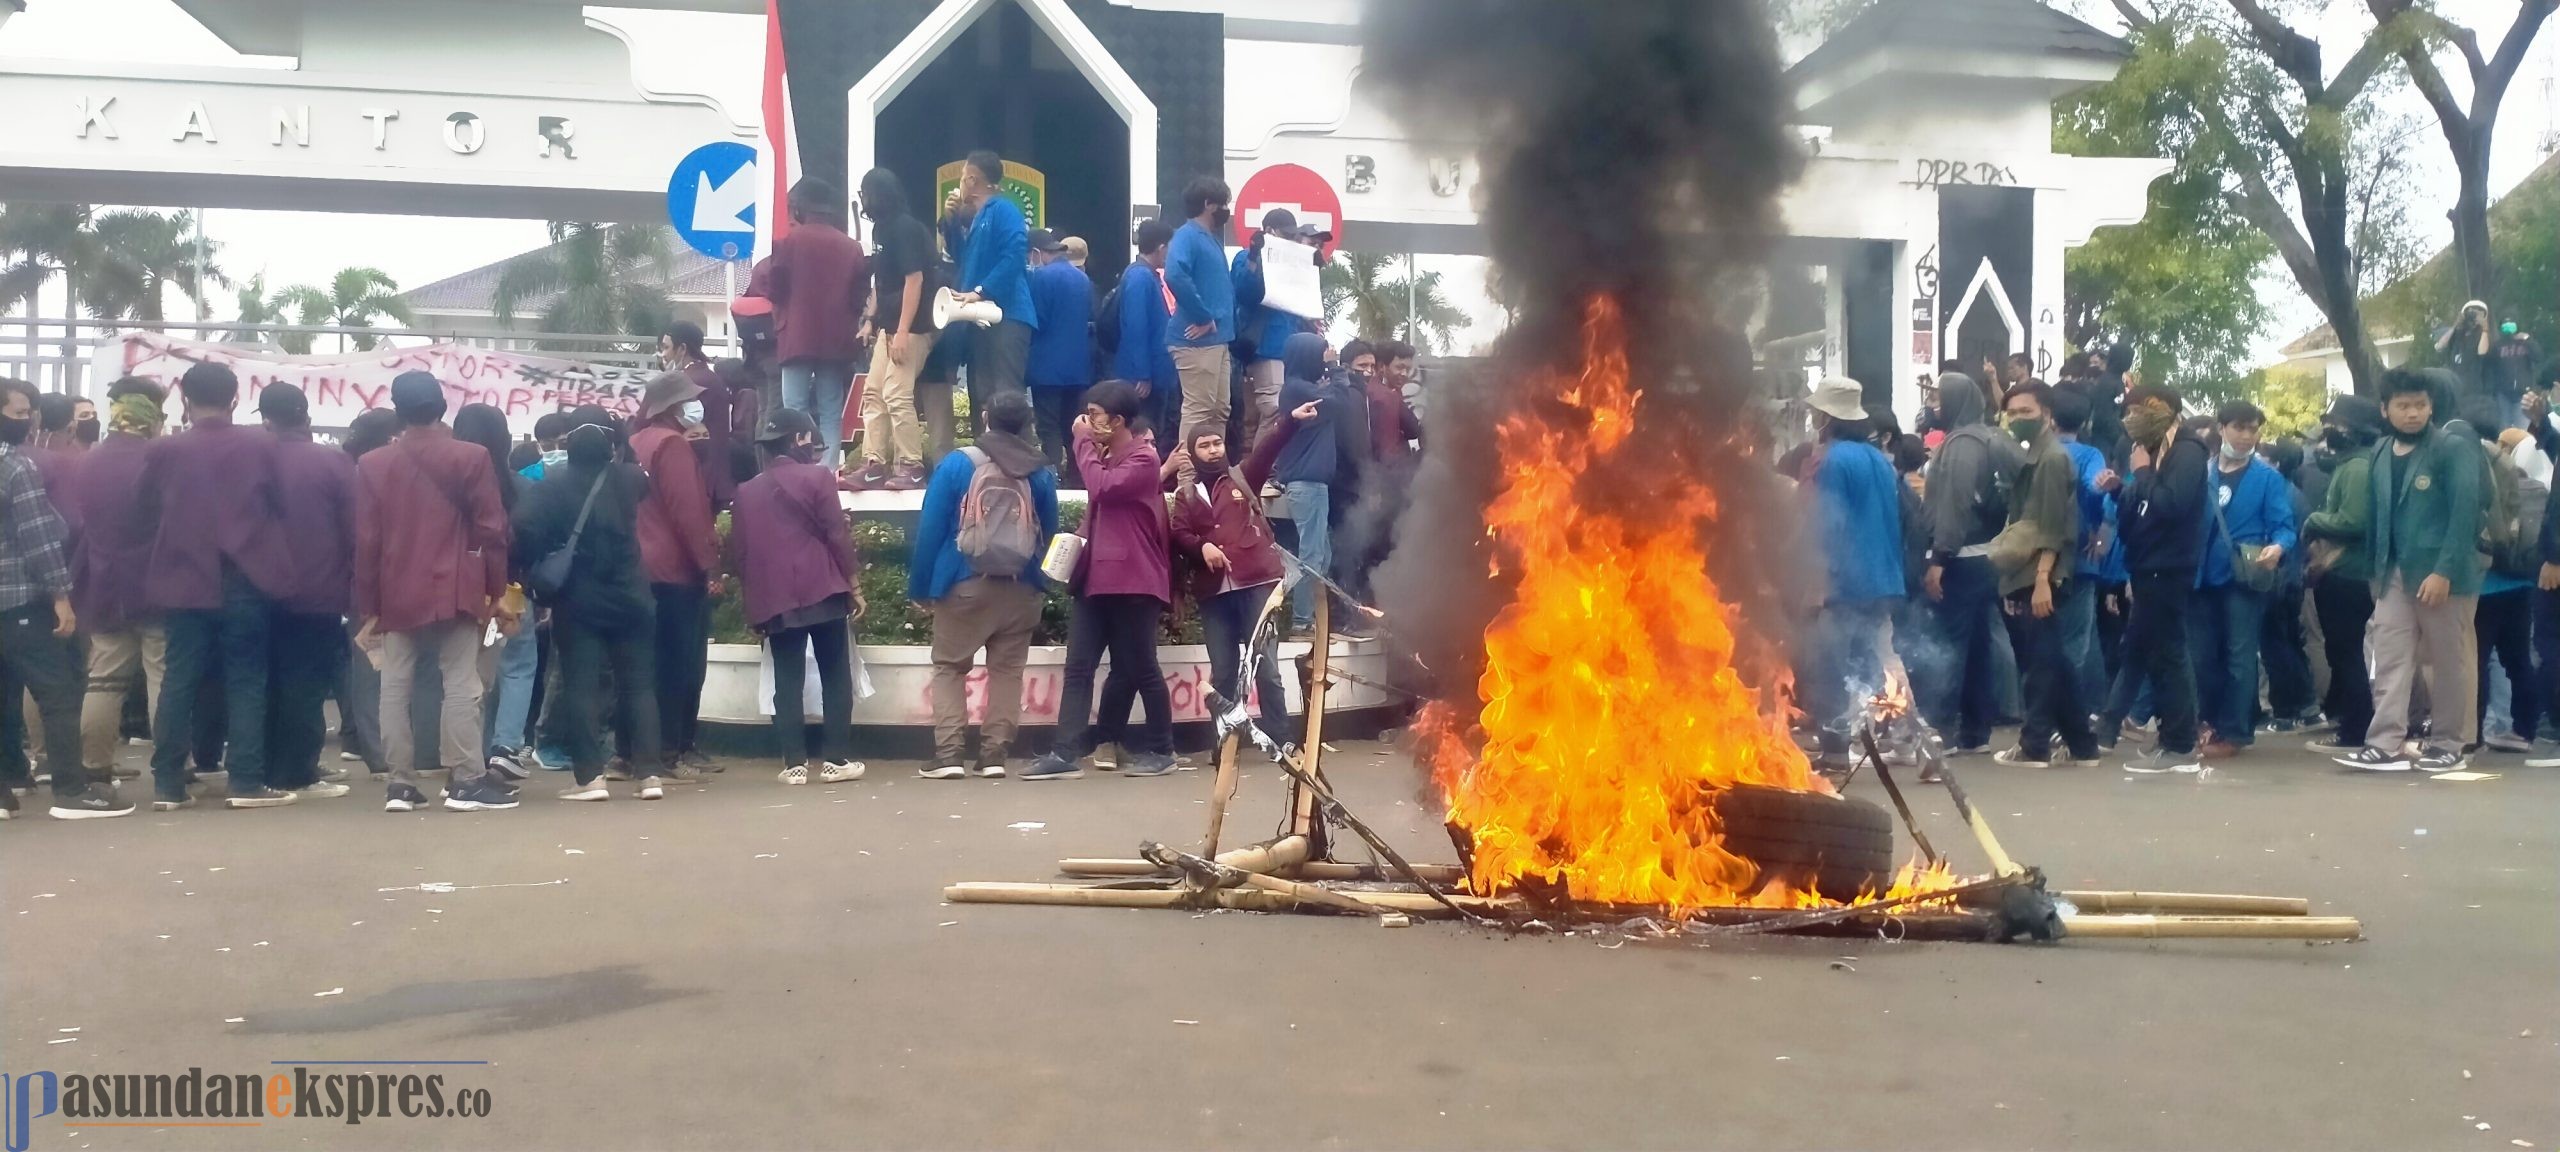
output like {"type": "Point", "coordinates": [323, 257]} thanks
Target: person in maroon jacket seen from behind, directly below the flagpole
{"type": "Point", "coordinates": [800, 588]}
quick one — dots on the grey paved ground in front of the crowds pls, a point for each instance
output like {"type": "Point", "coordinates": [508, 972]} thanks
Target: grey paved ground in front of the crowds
{"type": "Point", "coordinates": [762, 966]}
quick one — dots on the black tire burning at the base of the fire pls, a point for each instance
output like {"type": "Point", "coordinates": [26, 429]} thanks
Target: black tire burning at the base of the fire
{"type": "Point", "coordinates": [1811, 841]}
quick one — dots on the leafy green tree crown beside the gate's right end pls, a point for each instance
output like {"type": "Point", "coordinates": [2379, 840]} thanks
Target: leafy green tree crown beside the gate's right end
{"type": "Point", "coordinates": [2180, 283]}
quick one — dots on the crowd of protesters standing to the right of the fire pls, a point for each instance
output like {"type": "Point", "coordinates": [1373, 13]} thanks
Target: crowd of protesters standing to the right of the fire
{"type": "Point", "coordinates": [2106, 567]}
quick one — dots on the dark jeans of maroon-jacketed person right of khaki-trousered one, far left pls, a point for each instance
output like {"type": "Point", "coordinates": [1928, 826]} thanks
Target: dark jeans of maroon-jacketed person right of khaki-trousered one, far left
{"type": "Point", "coordinates": [237, 641]}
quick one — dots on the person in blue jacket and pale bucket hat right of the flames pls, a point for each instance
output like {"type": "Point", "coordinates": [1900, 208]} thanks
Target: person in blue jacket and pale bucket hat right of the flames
{"type": "Point", "coordinates": [1857, 503]}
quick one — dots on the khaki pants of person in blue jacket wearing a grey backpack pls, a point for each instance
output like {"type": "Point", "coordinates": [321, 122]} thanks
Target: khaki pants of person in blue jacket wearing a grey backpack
{"type": "Point", "coordinates": [997, 616]}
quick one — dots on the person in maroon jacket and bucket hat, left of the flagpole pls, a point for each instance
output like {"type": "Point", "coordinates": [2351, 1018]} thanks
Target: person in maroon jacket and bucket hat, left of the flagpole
{"type": "Point", "coordinates": [680, 554]}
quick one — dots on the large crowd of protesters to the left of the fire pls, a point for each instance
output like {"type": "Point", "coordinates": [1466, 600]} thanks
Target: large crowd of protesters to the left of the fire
{"type": "Point", "coordinates": [493, 608]}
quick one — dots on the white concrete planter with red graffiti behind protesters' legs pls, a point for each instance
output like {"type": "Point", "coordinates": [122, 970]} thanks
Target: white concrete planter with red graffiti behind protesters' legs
{"type": "Point", "coordinates": [736, 692]}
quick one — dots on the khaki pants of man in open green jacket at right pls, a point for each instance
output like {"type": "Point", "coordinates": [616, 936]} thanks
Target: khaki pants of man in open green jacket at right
{"type": "Point", "coordinates": [2410, 636]}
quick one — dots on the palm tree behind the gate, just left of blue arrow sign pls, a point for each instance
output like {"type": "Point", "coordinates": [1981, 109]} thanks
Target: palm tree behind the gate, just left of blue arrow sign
{"type": "Point", "coordinates": [593, 280]}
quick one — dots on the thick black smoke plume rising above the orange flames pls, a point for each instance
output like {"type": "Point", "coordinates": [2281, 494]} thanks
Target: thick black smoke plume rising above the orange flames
{"type": "Point", "coordinates": [1629, 150]}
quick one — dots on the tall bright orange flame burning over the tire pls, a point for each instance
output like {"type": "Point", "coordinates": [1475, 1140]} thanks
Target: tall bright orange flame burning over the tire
{"type": "Point", "coordinates": [1612, 703]}
